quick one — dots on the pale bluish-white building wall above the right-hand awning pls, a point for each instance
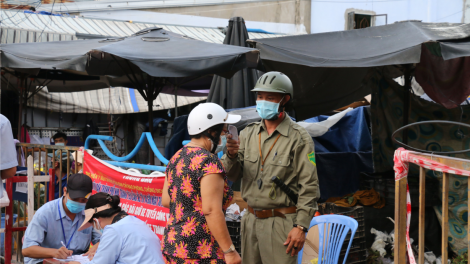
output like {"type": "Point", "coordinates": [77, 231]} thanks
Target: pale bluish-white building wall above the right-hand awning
{"type": "Point", "coordinates": [331, 15]}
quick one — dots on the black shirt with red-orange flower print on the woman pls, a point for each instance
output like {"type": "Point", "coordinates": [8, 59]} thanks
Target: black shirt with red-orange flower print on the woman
{"type": "Point", "coordinates": [187, 235]}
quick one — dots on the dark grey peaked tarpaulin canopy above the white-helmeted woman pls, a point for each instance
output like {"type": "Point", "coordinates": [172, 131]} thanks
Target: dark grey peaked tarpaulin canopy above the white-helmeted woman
{"type": "Point", "coordinates": [161, 53]}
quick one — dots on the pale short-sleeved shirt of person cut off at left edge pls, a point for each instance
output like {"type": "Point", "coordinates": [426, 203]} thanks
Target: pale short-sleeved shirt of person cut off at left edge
{"type": "Point", "coordinates": [8, 154]}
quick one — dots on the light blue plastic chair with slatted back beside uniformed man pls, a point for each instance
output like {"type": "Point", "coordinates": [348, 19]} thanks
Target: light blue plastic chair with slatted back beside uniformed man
{"type": "Point", "coordinates": [332, 230]}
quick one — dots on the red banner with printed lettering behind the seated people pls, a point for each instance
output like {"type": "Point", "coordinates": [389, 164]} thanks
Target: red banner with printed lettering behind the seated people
{"type": "Point", "coordinates": [140, 196]}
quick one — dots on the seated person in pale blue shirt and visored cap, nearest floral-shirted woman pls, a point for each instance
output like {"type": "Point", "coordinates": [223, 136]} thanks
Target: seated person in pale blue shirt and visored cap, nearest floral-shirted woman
{"type": "Point", "coordinates": [125, 239]}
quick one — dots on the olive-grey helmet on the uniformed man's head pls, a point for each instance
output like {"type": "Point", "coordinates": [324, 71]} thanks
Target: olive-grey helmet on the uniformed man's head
{"type": "Point", "coordinates": [274, 82]}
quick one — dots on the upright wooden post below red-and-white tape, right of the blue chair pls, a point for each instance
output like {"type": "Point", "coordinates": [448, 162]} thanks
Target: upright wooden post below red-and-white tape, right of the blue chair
{"type": "Point", "coordinates": [400, 221]}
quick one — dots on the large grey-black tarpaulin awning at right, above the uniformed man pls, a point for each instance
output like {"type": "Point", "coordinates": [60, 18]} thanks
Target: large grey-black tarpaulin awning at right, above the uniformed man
{"type": "Point", "coordinates": [328, 69]}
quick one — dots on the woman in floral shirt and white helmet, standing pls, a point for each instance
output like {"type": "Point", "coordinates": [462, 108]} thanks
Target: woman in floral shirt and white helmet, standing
{"type": "Point", "coordinates": [197, 193]}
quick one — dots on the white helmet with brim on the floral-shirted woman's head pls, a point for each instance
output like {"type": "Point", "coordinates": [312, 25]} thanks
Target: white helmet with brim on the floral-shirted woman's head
{"type": "Point", "coordinates": [207, 115]}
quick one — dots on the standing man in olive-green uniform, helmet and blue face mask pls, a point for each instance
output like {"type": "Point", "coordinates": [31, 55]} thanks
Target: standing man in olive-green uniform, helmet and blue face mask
{"type": "Point", "coordinates": [274, 230]}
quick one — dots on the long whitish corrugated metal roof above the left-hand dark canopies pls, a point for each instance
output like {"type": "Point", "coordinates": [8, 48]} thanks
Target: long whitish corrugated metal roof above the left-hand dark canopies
{"type": "Point", "coordinates": [16, 24]}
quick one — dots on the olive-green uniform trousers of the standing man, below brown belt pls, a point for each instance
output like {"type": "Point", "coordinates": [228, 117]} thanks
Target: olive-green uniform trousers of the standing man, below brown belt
{"type": "Point", "coordinates": [263, 239]}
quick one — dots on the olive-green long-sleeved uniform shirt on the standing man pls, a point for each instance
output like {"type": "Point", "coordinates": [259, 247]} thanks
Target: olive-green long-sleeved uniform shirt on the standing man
{"type": "Point", "coordinates": [292, 159]}
